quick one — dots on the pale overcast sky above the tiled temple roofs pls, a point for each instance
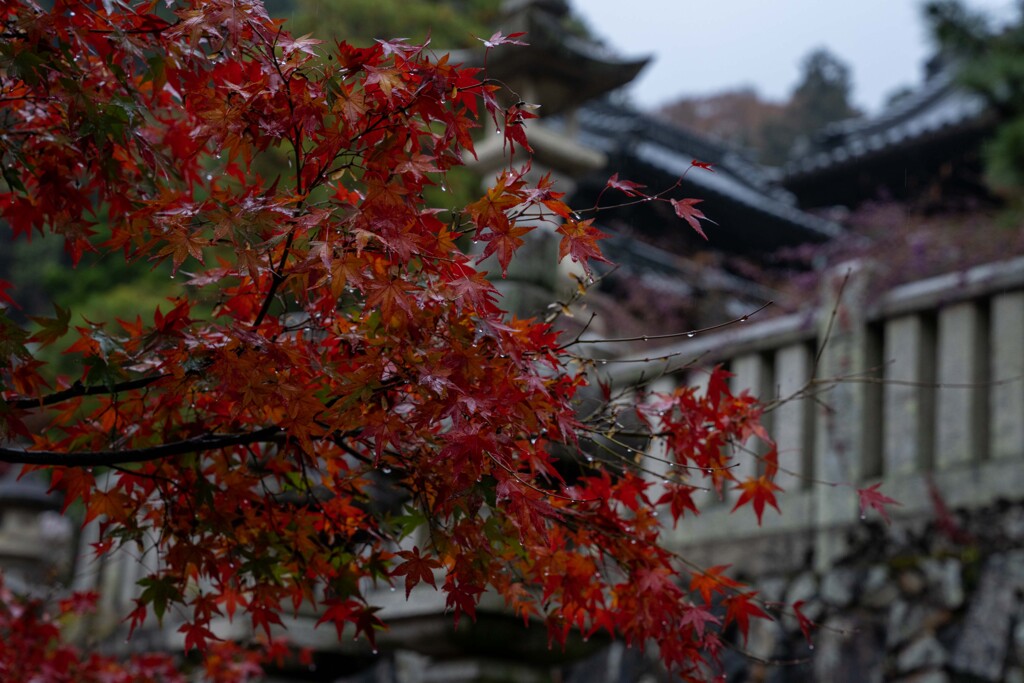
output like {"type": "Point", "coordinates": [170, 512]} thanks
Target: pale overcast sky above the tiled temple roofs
{"type": "Point", "coordinates": [704, 47]}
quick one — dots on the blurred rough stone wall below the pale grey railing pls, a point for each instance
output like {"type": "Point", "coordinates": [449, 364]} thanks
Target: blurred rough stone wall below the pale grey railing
{"type": "Point", "coordinates": [933, 601]}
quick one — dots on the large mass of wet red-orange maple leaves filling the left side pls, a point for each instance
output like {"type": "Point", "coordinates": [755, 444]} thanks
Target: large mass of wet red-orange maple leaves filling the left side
{"type": "Point", "coordinates": [335, 402]}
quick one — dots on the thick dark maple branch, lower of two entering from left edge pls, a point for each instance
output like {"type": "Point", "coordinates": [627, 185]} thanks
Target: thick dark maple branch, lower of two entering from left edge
{"type": "Point", "coordinates": [129, 456]}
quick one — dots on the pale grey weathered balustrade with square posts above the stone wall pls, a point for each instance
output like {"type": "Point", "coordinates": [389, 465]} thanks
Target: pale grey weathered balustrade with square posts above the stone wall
{"type": "Point", "coordinates": [921, 389]}
